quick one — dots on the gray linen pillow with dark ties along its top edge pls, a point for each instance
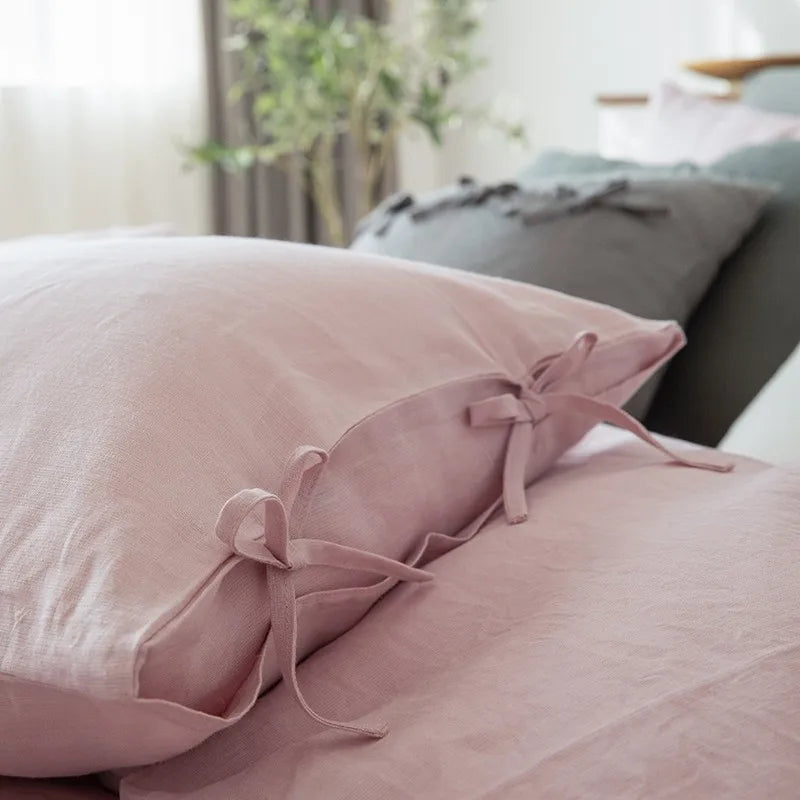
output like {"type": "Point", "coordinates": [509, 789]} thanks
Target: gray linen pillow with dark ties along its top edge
{"type": "Point", "coordinates": [648, 245]}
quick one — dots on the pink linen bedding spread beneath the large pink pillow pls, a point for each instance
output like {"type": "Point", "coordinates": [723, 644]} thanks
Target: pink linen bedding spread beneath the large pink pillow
{"type": "Point", "coordinates": [638, 636]}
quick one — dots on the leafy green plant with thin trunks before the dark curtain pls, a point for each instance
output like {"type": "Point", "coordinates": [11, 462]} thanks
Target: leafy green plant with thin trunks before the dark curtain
{"type": "Point", "coordinates": [309, 79]}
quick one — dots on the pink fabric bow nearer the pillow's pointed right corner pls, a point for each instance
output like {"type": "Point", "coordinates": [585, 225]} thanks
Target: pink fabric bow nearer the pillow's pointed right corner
{"type": "Point", "coordinates": [538, 398]}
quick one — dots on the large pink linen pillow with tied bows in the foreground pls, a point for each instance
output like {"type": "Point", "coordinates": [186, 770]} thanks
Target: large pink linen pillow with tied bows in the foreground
{"type": "Point", "coordinates": [219, 453]}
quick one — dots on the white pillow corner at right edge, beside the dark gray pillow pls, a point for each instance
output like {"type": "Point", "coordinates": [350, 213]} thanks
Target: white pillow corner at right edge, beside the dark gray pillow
{"type": "Point", "coordinates": [769, 428]}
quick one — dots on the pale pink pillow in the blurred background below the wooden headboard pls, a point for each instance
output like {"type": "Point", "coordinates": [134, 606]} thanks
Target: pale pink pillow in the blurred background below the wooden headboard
{"type": "Point", "coordinates": [685, 127]}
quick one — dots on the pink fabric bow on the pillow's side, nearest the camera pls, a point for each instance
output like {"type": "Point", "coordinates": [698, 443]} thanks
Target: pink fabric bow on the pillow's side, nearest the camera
{"type": "Point", "coordinates": [284, 556]}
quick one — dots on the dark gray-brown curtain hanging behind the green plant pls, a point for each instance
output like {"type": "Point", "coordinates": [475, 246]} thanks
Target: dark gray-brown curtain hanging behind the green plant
{"type": "Point", "coordinates": [266, 201]}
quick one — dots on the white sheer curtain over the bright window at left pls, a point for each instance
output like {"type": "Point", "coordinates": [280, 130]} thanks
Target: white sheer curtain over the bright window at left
{"type": "Point", "coordinates": [95, 98]}
